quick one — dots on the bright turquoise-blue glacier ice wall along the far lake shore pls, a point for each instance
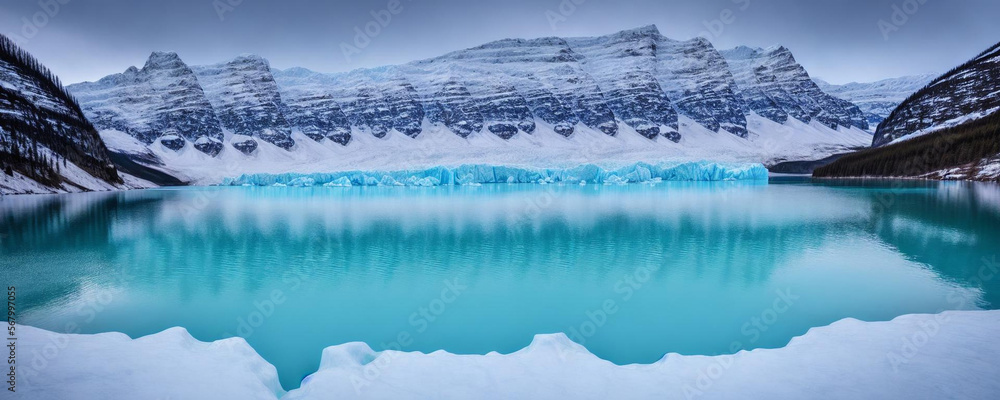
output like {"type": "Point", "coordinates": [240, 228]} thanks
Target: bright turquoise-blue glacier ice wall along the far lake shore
{"type": "Point", "coordinates": [471, 174]}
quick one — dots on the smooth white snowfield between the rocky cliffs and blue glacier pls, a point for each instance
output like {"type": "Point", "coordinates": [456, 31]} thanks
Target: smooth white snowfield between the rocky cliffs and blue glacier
{"type": "Point", "coordinates": [769, 142]}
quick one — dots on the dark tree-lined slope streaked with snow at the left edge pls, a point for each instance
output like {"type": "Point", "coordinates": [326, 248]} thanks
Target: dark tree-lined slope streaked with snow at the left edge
{"type": "Point", "coordinates": [46, 143]}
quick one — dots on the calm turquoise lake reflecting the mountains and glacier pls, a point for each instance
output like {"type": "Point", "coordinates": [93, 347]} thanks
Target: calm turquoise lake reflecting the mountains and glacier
{"type": "Point", "coordinates": [632, 272]}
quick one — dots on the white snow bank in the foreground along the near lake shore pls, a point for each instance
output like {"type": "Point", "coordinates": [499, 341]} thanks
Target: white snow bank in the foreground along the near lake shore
{"type": "Point", "coordinates": [950, 355]}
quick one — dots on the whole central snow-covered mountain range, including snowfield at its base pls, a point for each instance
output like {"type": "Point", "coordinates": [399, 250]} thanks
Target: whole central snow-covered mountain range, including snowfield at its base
{"type": "Point", "coordinates": [630, 96]}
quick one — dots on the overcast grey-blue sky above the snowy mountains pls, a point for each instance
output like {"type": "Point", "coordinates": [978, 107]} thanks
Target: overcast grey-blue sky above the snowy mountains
{"type": "Point", "coordinates": [840, 41]}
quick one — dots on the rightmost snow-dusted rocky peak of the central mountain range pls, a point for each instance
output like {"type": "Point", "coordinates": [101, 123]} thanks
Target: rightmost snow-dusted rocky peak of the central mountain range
{"type": "Point", "coordinates": [774, 85]}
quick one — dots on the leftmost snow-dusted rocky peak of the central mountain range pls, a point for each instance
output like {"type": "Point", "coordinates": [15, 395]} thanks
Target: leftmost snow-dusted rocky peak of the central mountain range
{"type": "Point", "coordinates": [164, 100]}
